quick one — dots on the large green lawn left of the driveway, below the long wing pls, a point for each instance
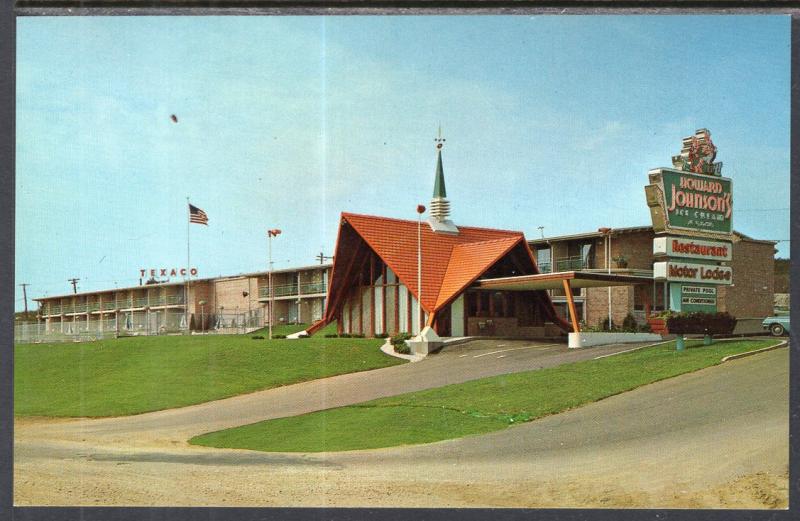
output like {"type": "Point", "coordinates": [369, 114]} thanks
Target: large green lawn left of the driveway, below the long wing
{"type": "Point", "coordinates": [140, 374]}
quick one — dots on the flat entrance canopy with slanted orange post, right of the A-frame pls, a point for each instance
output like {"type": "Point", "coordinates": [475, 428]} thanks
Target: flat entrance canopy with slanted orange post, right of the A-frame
{"type": "Point", "coordinates": [566, 280]}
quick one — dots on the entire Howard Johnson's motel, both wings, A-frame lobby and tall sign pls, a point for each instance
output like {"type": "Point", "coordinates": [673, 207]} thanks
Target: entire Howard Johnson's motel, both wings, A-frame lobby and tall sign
{"type": "Point", "coordinates": [394, 276]}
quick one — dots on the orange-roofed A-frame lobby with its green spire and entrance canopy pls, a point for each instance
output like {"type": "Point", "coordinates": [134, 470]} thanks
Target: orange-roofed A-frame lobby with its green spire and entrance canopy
{"type": "Point", "coordinates": [394, 275]}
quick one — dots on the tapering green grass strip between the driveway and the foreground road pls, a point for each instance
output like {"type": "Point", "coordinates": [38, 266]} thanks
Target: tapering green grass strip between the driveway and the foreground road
{"type": "Point", "coordinates": [474, 407]}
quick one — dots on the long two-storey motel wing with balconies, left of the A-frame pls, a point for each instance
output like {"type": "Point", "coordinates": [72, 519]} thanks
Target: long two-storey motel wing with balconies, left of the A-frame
{"type": "Point", "coordinates": [232, 303]}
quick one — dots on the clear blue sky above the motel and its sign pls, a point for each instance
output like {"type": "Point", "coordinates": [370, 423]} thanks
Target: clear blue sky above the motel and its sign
{"type": "Point", "coordinates": [284, 122]}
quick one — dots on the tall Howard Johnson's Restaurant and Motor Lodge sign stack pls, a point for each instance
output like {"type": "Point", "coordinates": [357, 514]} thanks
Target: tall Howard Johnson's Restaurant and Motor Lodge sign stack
{"type": "Point", "coordinates": [691, 206]}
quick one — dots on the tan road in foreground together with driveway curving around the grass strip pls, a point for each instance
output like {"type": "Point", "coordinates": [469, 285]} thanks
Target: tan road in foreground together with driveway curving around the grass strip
{"type": "Point", "coordinates": [714, 438]}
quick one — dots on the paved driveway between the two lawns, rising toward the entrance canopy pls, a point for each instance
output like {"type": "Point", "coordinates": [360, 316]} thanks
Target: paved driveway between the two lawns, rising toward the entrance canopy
{"type": "Point", "coordinates": [453, 364]}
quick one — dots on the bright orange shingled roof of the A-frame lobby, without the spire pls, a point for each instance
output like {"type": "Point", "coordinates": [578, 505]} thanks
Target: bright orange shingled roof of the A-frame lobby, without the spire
{"type": "Point", "coordinates": [449, 262]}
